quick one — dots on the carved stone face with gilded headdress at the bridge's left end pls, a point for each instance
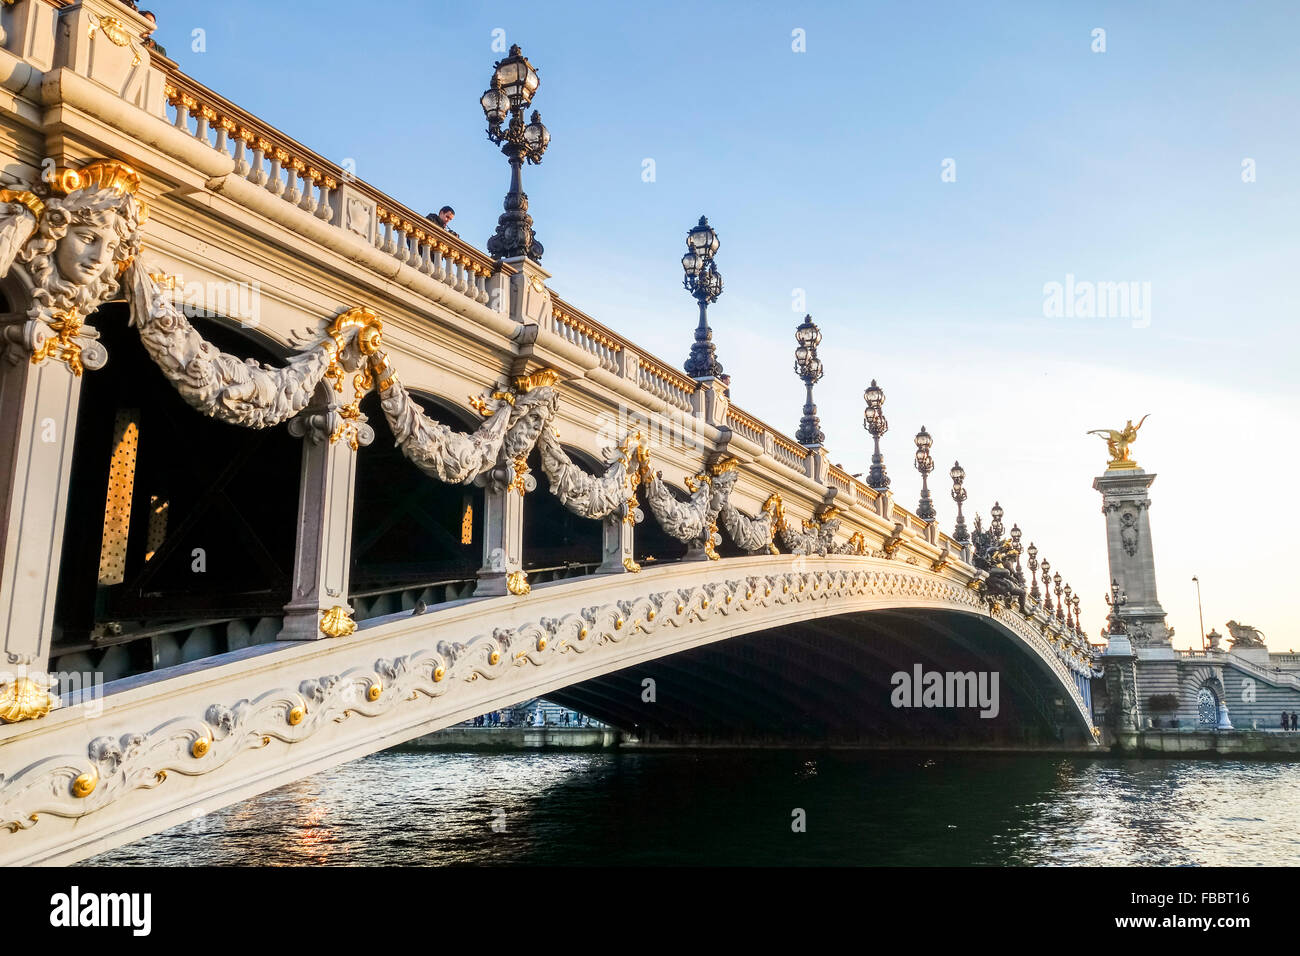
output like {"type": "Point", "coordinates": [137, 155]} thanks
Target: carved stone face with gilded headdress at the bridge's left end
{"type": "Point", "coordinates": [73, 237]}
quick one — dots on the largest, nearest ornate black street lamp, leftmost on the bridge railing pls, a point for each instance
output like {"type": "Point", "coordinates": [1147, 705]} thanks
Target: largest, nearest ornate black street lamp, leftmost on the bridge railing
{"type": "Point", "coordinates": [513, 86]}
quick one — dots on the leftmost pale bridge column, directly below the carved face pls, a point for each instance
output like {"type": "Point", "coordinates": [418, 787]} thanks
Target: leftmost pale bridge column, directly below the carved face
{"type": "Point", "coordinates": [38, 426]}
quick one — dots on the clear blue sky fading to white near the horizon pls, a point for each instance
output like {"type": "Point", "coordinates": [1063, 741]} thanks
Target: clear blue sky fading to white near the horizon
{"type": "Point", "coordinates": [916, 176]}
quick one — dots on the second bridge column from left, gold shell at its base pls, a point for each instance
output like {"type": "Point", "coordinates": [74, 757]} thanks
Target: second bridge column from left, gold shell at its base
{"type": "Point", "coordinates": [323, 556]}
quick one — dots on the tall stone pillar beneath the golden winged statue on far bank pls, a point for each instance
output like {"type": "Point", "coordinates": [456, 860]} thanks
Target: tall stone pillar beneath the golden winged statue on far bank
{"type": "Point", "coordinates": [1133, 564]}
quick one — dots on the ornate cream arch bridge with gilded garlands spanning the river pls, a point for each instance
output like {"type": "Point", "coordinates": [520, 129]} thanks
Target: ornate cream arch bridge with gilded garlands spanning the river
{"type": "Point", "coordinates": [300, 474]}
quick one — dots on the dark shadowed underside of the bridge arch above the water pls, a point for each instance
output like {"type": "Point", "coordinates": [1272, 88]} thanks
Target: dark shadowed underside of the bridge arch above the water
{"type": "Point", "coordinates": [829, 682]}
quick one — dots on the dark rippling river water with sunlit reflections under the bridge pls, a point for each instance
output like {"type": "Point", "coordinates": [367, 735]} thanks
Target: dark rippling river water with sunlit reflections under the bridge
{"type": "Point", "coordinates": [742, 808]}
